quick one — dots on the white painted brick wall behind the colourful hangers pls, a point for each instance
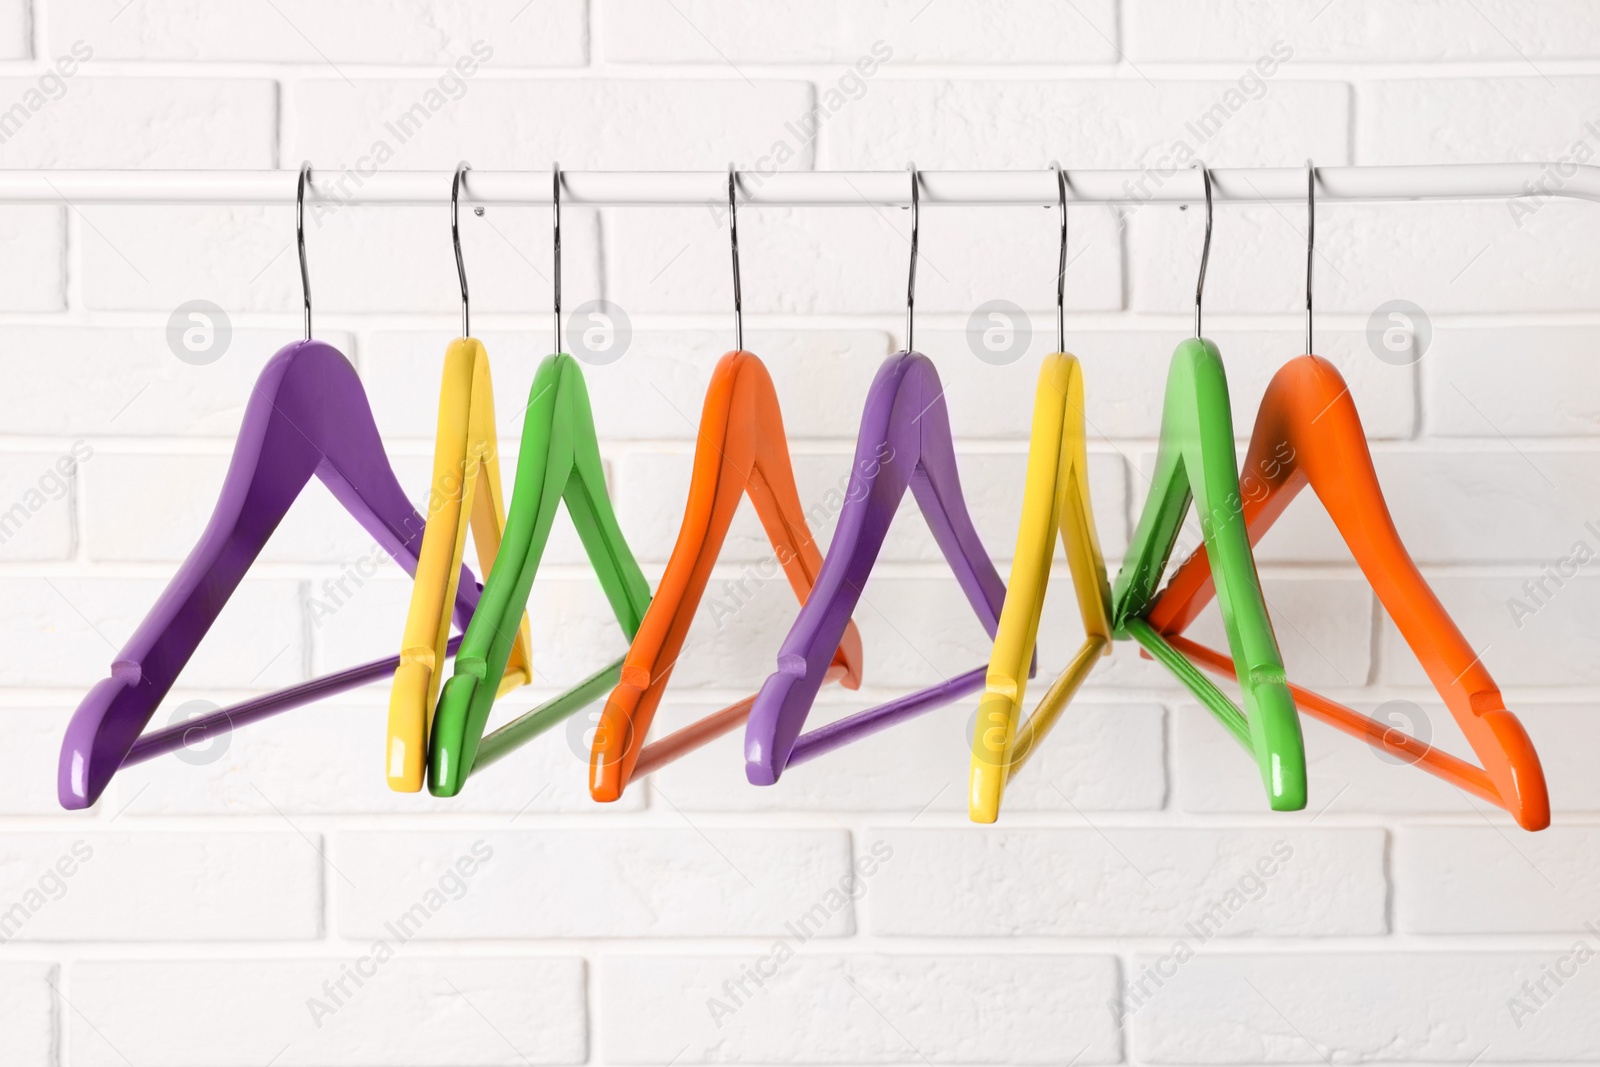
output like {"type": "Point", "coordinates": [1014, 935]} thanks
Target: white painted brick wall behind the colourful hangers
{"type": "Point", "coordinates": [270, 901]}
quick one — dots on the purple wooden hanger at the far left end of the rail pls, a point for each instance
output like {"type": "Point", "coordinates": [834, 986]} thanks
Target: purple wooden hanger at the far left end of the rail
{"type": "Point", "coordinates": [308, 415]}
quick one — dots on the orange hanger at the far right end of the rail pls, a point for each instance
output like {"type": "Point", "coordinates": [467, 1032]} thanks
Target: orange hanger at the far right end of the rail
{"type": "Point", "coordinates": [1308, 412]}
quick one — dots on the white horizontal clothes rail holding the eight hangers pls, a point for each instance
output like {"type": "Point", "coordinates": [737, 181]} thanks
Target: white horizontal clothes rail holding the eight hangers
{"type": "Point", "coordinates": [1271, 185]}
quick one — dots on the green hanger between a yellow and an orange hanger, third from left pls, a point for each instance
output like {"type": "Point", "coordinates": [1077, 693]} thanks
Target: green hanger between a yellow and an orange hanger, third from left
{"type": "Point", "coordinates": [559, 460]}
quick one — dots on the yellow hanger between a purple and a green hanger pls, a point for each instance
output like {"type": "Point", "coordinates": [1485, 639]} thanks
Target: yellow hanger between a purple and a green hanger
{"type": "Point", "coordinates": [1055, 498]}
